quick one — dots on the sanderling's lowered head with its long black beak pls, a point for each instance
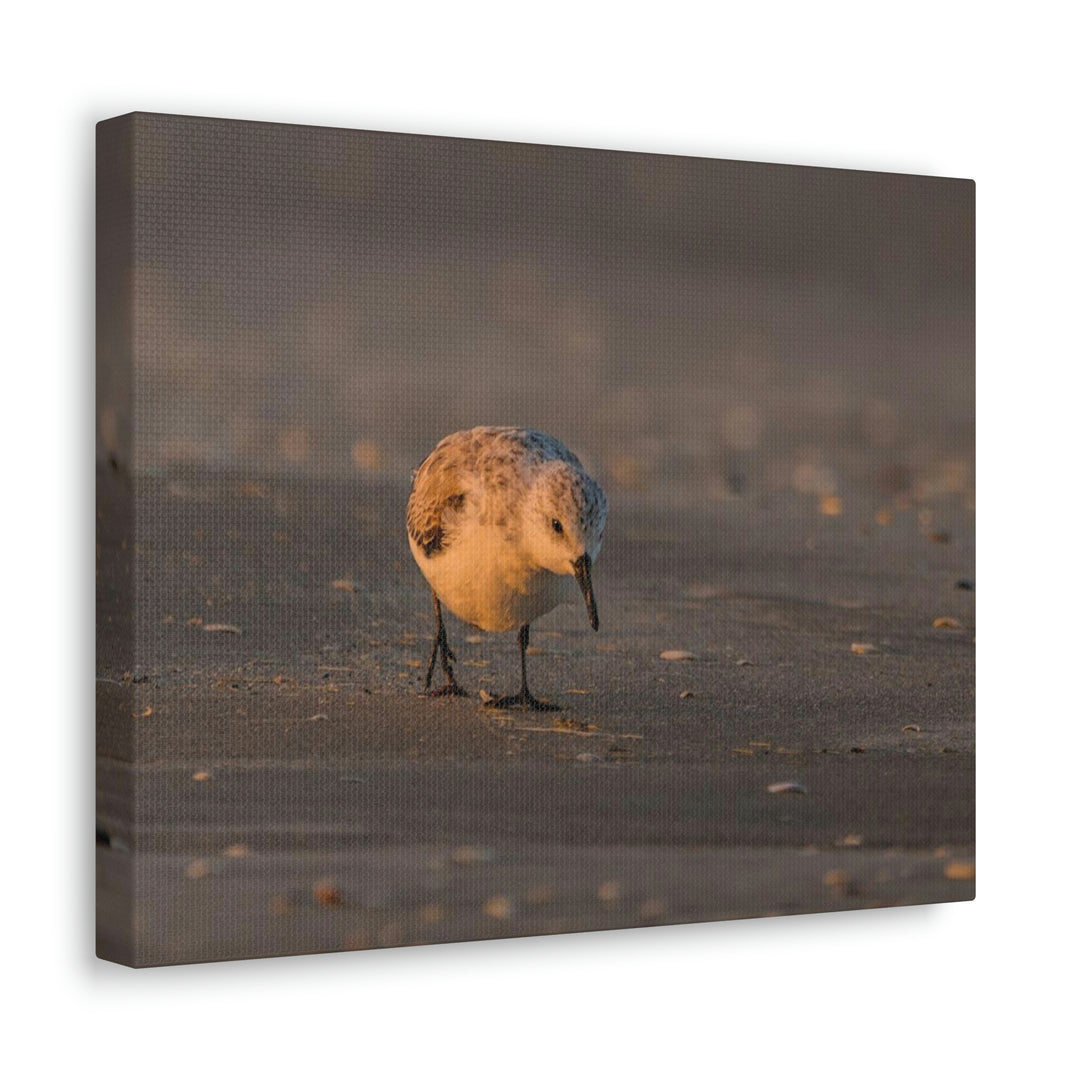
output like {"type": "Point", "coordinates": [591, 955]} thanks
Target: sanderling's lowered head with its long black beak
{"type": "Point", "coordinates": [566, 511]}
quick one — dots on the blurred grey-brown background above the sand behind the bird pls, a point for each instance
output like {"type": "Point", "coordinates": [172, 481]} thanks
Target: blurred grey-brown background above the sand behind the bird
{"type": "Point", "coordinates": [323, 303]}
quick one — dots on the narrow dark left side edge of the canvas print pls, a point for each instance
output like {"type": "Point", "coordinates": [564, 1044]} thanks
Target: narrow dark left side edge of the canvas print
{"type": "Point", "coordinates": [116, 543]}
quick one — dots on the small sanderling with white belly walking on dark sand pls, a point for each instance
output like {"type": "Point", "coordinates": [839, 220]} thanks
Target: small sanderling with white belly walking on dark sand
{"type": "Point", "coordinates": [503, 522]}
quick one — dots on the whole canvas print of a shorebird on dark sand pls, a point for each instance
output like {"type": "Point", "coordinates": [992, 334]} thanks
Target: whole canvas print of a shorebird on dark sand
{"type": "Point", "coordinates": [498, 541]}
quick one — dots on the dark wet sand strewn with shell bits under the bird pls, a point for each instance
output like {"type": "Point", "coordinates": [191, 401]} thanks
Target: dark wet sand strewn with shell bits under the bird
{"type": "Point", "coordinates": [293, 793]}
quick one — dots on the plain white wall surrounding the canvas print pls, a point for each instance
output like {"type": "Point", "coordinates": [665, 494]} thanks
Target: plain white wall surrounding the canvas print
{"type": "Point", "coordinates": [951, 89]}
